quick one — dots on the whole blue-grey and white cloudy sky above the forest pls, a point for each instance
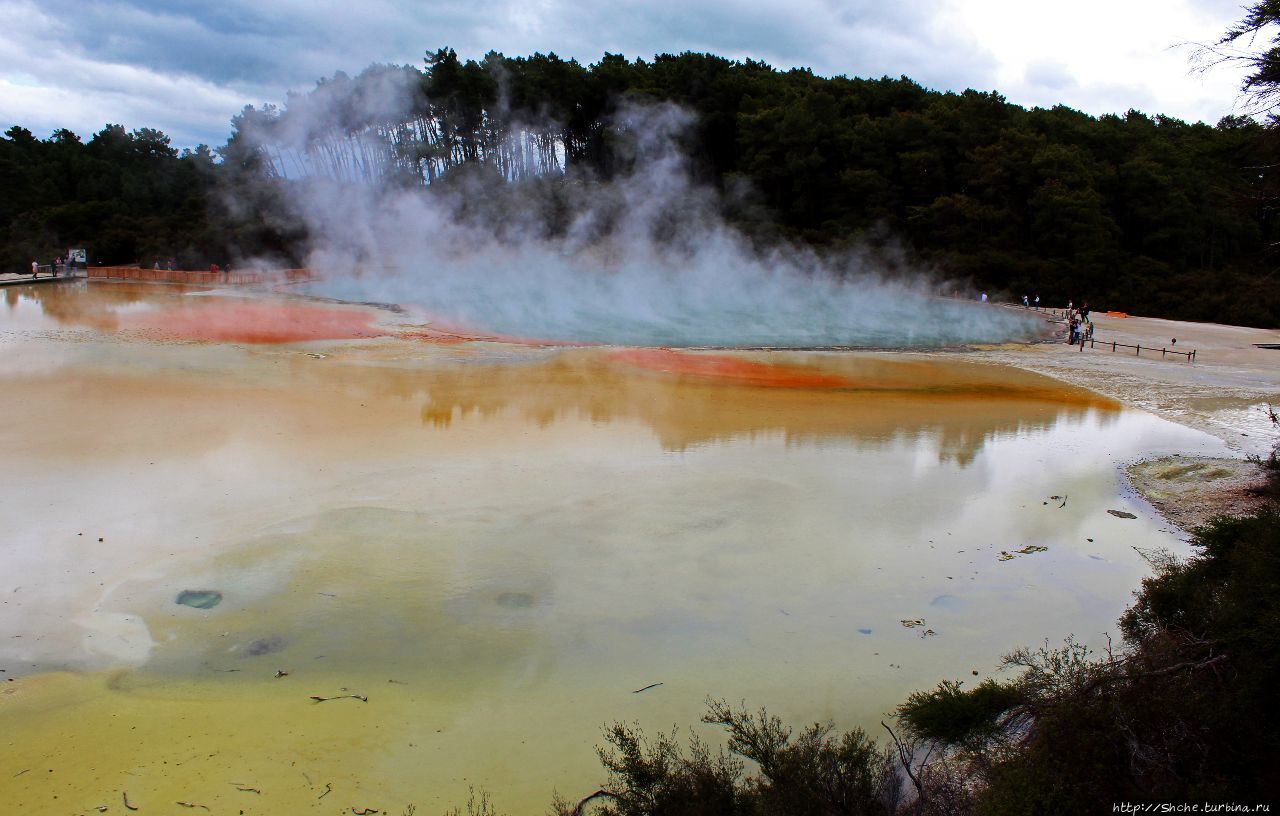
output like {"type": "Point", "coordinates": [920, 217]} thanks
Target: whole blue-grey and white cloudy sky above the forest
{"type": "Point", "coordinates": [186, 67]}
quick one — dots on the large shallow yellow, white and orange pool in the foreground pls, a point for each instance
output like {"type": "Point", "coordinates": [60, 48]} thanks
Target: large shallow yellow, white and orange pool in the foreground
{"type": "Point", "coordinates": [497, 545]}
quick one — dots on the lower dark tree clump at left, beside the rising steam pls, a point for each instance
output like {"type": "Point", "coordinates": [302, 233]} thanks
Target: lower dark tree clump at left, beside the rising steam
{"type": "Point", "coordinates": [132, 198]}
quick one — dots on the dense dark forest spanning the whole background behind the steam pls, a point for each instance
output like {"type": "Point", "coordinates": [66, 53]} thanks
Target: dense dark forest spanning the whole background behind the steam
{"type": "Point", "coordinates": [1135, 213]}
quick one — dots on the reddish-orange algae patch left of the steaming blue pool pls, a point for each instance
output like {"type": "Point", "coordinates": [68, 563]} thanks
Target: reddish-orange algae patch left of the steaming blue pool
{"type": "Point", "coordinates": [255, 323]}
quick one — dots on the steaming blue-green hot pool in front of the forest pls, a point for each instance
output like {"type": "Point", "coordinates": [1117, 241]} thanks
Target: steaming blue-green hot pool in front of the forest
{"type": "Point", "coordinates": [696, 308]}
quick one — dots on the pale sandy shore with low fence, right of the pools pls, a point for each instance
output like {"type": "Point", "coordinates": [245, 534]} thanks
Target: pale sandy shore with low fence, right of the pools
{"type": "Point", "coordinates": [1227, 393]}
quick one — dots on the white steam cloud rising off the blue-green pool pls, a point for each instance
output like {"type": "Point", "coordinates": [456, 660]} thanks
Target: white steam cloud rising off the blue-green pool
{"type": "Point", "coordinates": [643, 259]}
